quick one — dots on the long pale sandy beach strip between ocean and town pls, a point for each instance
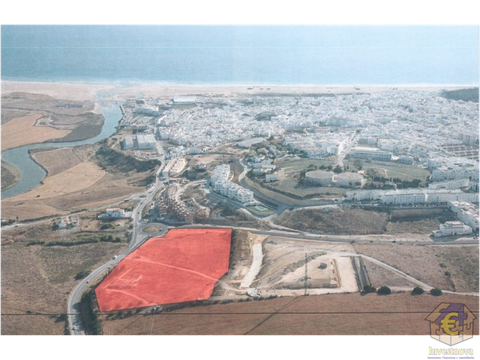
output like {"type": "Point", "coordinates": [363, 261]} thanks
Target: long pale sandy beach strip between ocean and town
{"type": "Point", "coordinates": [83, 92]}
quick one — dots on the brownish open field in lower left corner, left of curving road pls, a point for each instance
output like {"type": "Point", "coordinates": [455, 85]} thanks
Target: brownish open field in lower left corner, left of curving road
{"type": "Point", "coordinates": [38, 280]}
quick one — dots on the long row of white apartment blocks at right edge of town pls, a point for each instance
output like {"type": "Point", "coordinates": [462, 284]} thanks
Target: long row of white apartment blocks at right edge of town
{"type": "Point", "coordinates": [412, 196]}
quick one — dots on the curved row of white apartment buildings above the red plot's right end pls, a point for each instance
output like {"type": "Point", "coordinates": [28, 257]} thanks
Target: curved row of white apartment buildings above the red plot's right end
{"type": "Point", "coordinates": [220, 184]}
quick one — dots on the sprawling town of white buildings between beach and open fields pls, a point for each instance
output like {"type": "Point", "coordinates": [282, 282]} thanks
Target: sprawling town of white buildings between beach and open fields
{"type": "Point", "coordinates": [393, 148]}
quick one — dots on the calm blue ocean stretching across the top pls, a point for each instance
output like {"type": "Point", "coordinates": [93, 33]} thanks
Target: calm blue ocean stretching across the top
{"type": "Point", "coordinates": [242, 54]}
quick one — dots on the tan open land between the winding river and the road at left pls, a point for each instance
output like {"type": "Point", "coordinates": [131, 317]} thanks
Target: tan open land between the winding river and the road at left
{"type": "Point", "coordinates": [75, 182]}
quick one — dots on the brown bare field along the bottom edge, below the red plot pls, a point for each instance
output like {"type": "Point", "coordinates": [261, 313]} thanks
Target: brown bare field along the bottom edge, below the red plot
{"type": "Point", "coordinates": [328, 315]}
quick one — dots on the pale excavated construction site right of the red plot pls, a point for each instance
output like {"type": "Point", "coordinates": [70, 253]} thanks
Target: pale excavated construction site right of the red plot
{"type": "Point", "coordinates": [265, 266]}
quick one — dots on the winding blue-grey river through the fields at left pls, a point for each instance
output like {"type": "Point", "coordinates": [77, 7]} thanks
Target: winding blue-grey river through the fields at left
{"type": "Point", "coordinates": [33, 174]}
